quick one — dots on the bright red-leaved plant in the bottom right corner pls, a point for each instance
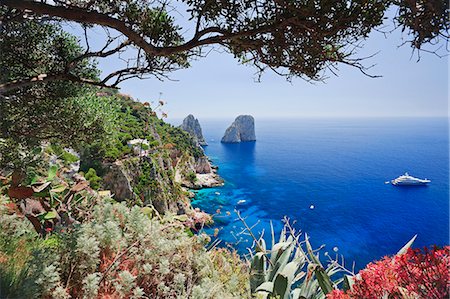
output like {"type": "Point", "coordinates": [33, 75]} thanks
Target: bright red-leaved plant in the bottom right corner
{"type": "Point", "coordinates": [413, 274]}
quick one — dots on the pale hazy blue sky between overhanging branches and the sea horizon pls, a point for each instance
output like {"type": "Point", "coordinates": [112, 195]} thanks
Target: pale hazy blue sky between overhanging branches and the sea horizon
{"type": "Point", "coordinates": [218, 87]}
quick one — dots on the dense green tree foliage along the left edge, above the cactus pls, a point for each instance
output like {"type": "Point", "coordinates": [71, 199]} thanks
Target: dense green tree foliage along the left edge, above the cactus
{"type": "Point", "coordinates": [58, 111]}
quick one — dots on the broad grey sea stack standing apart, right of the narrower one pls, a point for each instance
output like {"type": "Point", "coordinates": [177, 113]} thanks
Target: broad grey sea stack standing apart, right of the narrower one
{"type": "Point", "coordinates": [242, 129]}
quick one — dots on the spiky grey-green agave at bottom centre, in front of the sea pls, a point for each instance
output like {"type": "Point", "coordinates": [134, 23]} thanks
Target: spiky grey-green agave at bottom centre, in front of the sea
{"type": "Point", "coordinates": [290, 269]}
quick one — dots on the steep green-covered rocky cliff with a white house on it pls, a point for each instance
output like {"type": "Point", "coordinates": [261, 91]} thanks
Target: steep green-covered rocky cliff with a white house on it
{"type": "Point", "coordinates": [151, 162]}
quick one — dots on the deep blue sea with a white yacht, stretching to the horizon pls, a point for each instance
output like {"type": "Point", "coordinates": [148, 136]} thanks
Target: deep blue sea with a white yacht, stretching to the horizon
{"type": "Point", "coordinates": [328, 175]}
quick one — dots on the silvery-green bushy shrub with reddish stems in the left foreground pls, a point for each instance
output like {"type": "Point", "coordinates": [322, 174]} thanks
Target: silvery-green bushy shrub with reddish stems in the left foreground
{"type": "Point", "coordinates": [122, 253]}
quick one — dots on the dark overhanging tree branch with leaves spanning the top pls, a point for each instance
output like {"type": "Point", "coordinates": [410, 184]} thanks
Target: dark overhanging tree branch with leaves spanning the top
{"type": "Point", "coordinates": [293, 38]}
